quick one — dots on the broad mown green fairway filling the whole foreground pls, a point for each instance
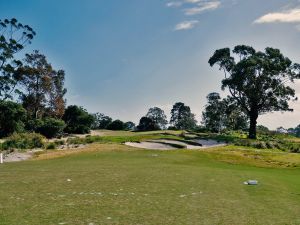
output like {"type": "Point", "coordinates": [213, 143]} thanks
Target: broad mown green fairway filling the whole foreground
{"type": "Point", "coordinates": [115, 184]}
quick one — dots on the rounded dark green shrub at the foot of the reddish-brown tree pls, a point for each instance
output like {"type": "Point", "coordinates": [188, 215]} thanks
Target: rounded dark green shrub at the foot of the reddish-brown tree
{"type": "Point", "coordinates": [50, 127]}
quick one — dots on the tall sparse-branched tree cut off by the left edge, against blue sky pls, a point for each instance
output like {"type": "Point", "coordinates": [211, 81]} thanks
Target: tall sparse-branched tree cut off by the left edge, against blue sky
{"type": "Point", "coordinates": [14, 36]}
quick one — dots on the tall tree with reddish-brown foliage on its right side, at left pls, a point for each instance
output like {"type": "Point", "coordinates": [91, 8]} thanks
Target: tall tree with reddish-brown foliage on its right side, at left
{"type": "Point", "coordinates": [43, 87]}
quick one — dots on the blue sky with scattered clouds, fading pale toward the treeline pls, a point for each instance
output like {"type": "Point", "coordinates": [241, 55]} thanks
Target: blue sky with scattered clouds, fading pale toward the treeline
{"type": "Point", "coordinates": [123, 57]}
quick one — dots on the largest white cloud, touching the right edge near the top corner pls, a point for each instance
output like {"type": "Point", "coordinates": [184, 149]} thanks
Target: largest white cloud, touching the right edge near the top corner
{"type": "Point", "coordinates": [288, 16]}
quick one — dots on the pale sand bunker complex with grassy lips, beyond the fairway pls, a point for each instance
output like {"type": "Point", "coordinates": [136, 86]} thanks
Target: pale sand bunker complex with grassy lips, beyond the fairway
{"type": "Point", "coordinates": [171, 144]}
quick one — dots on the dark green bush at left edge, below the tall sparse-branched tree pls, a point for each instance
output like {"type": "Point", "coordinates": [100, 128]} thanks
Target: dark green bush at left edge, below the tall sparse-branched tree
{"type": "Point", "coordinates": [12, 116]}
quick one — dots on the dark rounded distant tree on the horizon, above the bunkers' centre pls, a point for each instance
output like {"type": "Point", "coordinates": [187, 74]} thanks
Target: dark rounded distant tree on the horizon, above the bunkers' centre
{"type": "Point", "coordinates": [182, 118]}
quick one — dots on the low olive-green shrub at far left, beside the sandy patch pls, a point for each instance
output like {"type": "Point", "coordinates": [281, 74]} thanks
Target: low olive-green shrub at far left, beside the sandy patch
{"type": "Point", "coordinates": [24, 141]}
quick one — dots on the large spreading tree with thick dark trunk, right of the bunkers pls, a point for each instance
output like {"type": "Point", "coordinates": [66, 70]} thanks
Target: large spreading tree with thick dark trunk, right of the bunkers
{"type": "Point", "coordinates": [257, 80]}
